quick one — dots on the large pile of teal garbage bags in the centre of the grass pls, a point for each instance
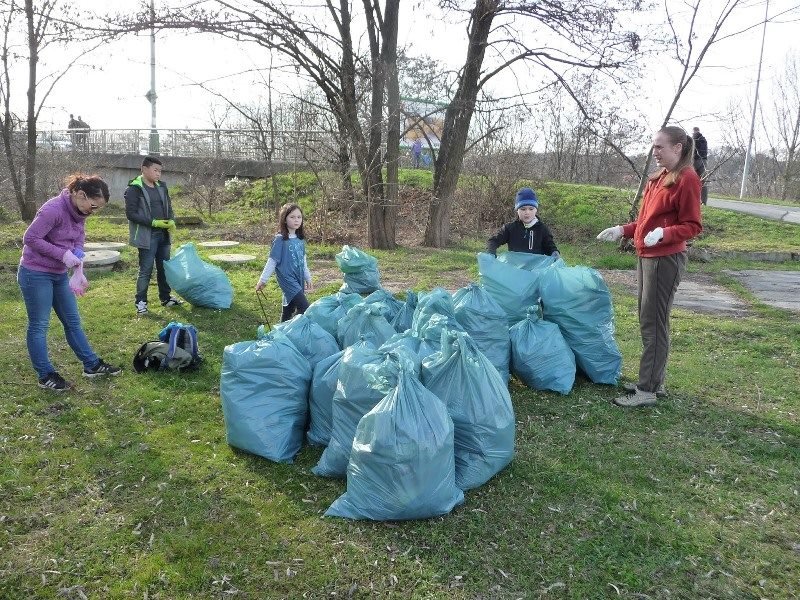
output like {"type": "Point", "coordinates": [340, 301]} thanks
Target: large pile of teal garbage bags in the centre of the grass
{"type": "Point", "coordinates": [409, 398]}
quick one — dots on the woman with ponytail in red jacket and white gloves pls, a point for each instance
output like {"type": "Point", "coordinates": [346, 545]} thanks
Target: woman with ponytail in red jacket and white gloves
{"type": "Point", "coordinates": [669, 215]}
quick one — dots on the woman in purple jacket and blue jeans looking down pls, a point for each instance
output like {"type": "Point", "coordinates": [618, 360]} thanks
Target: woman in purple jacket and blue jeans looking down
{"type": "Point", "coordinates": [52, 244]}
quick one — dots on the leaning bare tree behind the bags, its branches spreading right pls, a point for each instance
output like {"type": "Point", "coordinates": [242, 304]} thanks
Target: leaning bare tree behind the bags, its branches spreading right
{"type": "Point", "coordinates": [588, 38]}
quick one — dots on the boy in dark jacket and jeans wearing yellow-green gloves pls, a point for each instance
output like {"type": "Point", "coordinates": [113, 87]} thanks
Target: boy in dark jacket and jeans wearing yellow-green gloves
{"type": "Point", "coordinates": [151, 224]}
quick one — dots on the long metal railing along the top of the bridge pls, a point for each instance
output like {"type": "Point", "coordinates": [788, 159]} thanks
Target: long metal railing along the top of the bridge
{"type": "Point", "coordinates": [242, 144]}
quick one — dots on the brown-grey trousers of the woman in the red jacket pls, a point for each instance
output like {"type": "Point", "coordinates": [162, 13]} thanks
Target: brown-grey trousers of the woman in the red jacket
{"type": "Point", "coordinates": [658, 280]}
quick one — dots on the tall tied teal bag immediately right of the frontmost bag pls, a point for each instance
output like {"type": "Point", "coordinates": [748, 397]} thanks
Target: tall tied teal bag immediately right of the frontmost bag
{"type": "Point", "coordinates": [478, 401]}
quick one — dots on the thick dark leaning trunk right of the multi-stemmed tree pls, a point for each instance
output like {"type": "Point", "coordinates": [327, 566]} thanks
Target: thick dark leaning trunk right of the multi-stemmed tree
{"type": "Point", "coordinates": [458, 117]}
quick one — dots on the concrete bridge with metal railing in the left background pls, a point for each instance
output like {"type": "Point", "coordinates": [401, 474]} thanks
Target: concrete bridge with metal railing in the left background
{"type": "Point", "coordinates": [187, 154]}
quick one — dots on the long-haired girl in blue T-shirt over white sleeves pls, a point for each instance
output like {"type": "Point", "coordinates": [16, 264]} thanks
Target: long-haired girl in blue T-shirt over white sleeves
{"type": "Point", "coordinates": [287, 259]}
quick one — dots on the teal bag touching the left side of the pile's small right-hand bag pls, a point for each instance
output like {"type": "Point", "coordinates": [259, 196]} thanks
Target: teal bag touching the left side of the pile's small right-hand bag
{"type": "Point", "coordinates": [481, 316]}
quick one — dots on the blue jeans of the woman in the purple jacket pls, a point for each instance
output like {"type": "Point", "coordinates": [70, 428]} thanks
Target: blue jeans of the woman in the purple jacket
{"type": "Point", "coordinates": [41, 292]}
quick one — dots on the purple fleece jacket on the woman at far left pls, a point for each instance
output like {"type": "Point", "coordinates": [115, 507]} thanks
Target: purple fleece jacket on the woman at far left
{"type": "Point", "coordinates": [56, 228]}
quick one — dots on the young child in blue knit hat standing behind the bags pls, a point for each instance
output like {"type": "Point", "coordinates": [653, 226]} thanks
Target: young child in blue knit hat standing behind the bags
{"type": "Point", "coordinates": [527, 233]}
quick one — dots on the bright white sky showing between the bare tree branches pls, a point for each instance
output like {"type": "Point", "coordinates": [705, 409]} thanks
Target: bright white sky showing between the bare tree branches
{"type": "Point", "coordinates": [108, 89]}
